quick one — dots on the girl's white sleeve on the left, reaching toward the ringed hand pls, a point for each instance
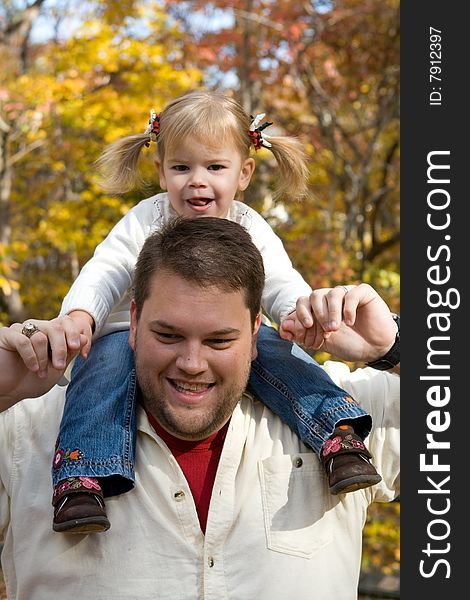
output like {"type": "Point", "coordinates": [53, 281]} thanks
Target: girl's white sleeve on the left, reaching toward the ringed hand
{"type": "Point", "coordinates": [106, 277]}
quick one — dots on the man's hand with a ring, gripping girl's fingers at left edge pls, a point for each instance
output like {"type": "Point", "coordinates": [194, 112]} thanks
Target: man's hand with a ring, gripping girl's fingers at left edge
{"type": "Point", "coordinates": [31, 366]}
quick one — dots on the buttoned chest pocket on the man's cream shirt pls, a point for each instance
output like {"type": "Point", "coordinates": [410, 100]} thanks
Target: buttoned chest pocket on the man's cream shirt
{"type": "Point", "coordinates": [293, 495]}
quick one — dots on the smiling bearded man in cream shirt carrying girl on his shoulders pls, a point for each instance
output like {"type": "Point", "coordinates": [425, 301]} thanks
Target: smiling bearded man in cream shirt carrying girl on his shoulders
{"type": "Point", "coordinates": [272, 530]}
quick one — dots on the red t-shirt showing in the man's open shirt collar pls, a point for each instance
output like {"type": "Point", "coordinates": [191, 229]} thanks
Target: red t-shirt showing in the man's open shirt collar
{"type": "Point", "coordinates": [198, 461]}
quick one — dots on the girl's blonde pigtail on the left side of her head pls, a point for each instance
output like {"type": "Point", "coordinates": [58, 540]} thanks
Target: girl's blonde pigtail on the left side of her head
{"type": "Point", "coordinates": [118, 164]}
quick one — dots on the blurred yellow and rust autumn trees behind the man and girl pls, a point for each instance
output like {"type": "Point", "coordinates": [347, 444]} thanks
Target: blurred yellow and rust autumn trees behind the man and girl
{"type": "Point", "coordinates": [77, 75]}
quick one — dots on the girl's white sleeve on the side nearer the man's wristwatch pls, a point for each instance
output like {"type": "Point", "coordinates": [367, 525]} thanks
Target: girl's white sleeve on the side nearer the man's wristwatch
{"type": "Point", "coordinates": [283, 284]}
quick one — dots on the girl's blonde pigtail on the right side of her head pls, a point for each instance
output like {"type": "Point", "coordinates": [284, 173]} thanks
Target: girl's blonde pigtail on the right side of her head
{"type": "Point", "coordinates": [293, 170]}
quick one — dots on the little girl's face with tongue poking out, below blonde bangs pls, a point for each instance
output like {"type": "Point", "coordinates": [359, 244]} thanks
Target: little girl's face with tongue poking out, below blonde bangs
{"type": "Point", "coordinates": [203, 181]}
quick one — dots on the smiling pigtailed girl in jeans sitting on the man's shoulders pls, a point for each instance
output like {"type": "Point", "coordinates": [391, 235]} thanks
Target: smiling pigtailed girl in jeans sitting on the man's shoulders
{"type": "Point", "coordinates": [203, 144]}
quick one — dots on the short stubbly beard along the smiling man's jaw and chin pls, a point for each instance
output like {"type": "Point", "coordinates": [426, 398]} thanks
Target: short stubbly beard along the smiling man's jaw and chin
{"type": "Point", "coordinates": [200, 426]}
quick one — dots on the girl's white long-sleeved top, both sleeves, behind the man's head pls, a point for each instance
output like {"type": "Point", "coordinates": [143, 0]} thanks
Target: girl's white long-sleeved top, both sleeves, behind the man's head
{"type": "Point", "coordinates": [104, 284]}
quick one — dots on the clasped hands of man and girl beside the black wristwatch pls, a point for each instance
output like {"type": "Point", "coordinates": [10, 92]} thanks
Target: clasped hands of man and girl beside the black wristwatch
{"type": "Point", "coordinates": [351, 322]}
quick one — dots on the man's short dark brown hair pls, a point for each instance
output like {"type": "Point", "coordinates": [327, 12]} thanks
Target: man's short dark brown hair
{"type": "Point", "coordinates": [207, 251]}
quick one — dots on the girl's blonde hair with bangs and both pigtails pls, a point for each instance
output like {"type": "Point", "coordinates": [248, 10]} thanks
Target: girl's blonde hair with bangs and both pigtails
{"type": "Point", "coordinates": [213, 119]}
